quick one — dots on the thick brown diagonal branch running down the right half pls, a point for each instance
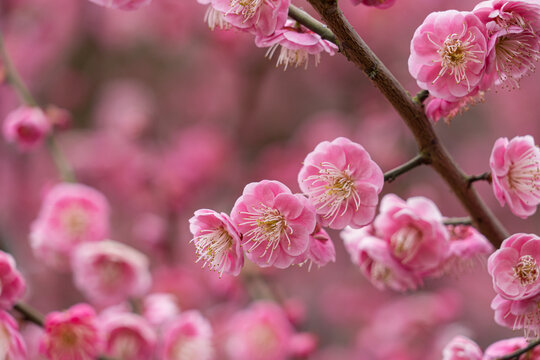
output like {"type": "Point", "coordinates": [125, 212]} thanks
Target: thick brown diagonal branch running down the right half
{"type": "Point", "coordinates": [412, 113]}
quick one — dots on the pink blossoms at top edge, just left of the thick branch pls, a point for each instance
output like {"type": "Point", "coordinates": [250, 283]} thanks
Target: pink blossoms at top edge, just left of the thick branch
{"type": "Point", "coordinates": [267, 21]}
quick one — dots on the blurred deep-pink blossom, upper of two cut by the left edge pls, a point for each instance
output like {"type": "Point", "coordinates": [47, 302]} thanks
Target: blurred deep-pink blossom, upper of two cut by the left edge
{"type": "Point", "coordinates": [12, 284]}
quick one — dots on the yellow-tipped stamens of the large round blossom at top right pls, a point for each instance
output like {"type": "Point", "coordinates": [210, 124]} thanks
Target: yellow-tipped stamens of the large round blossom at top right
{"type": "Point", "coordinates": [456, 54]}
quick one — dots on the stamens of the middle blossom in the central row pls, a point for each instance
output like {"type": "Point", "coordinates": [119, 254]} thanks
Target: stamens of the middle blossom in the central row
{"type": "Point", "coordinates": [267, 225]}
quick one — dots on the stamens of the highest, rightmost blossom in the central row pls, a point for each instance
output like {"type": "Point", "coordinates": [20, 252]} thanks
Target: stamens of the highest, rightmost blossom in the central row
{"type": "Point", "coordinates": [331, 188]}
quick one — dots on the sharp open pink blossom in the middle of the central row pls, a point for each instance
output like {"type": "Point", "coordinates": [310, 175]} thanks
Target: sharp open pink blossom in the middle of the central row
{"type": "Point", "coordinates": [274, 223]}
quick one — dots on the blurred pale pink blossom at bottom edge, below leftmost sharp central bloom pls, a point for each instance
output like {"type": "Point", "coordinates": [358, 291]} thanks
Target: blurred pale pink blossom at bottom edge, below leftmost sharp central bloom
{"type": "Point", "coordinates": [189, 336]}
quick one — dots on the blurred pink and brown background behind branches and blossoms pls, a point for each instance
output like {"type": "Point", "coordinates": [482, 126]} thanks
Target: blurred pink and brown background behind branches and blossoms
{"type": "Point", "coordinates": [170, 117]}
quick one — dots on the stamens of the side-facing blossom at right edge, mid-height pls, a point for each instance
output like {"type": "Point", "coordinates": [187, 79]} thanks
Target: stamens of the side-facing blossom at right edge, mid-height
{"type": "Point", "coordinates": [524, 174]}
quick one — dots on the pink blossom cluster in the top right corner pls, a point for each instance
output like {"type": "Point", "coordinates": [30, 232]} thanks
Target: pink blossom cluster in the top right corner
{"type": "Point", "coordinates": [457, 55]}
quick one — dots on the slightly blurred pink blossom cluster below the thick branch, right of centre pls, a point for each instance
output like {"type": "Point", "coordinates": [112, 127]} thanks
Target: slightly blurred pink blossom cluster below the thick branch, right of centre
{"type": "Point", "coordinates": [409, 242]}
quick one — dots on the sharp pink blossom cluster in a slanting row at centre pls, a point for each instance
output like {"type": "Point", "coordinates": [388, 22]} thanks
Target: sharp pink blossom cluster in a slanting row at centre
{"type": "Point", "coordinates": [275, 227]}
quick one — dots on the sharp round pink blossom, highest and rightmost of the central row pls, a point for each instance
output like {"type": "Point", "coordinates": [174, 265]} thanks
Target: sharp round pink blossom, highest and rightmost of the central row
{"type": "Point", "coordinates": [342, 182]}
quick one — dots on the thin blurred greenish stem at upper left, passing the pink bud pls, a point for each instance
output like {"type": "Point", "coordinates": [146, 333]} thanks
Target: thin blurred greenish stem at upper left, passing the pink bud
{"type": "Point", "coordinates": [12, 75]}
